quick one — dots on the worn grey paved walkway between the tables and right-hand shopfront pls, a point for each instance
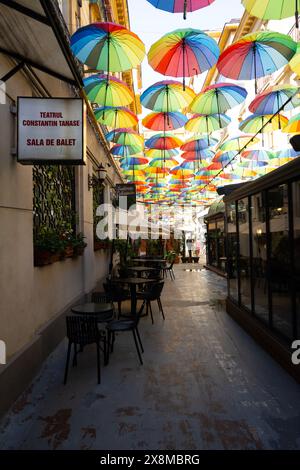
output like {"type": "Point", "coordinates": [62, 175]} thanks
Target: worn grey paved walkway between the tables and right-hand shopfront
{"type": "Point", "coordinates": [205, 384]}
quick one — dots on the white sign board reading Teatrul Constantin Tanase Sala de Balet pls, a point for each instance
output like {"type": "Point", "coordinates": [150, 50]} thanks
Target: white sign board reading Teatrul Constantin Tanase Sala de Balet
{"type": "Point", "coordinates": [50, 130]}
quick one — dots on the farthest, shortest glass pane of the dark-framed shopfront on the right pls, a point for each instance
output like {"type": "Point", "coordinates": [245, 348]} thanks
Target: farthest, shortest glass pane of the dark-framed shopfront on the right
{"type": "Point", "coordinates": [232, 247]}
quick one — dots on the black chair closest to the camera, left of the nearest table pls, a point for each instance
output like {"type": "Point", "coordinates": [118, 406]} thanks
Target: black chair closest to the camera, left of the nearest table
{"type": "Point", "coordinates": [81, 331]}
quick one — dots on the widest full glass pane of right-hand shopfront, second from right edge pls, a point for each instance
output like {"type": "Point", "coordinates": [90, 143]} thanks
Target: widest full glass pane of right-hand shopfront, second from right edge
{"type": "Point", "coordinates": [279, 268]}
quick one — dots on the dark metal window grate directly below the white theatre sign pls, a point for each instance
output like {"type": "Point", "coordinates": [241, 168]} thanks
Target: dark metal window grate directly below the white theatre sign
{"type": "Point", "coordinates": [54, 199]}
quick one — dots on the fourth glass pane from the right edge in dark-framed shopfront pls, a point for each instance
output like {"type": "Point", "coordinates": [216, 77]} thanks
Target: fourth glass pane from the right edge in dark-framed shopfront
{"type": "Point", "coordinates": [244, 253]}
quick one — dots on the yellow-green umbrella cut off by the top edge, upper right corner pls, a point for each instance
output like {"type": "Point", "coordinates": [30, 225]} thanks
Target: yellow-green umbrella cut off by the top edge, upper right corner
{"type": "Point", "coordinates": [272, 9]}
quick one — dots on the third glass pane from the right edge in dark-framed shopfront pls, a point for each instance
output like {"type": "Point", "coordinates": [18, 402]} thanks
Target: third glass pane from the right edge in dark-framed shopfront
{"type": "Point", "coordinates": [259, 261]}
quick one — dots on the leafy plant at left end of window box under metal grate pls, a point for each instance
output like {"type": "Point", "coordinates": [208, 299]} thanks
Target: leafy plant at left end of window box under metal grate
{"type": "Point", "coordinates": [48, 247]}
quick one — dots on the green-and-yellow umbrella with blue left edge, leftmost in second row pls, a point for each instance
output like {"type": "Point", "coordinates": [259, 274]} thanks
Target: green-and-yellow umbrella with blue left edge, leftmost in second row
{"type": "Point", "coordinates": [107, 90]}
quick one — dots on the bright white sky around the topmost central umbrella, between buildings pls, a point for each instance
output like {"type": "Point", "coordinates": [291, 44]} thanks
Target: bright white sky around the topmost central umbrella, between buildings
{"type": "Point", "coordinates": [150, 23]}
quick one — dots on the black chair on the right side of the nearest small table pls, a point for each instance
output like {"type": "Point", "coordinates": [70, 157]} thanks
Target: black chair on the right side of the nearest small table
{"type": "Point", "coordinates": [119, 326]}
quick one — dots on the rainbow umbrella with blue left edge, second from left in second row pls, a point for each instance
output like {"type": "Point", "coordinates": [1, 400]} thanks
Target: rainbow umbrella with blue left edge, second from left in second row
{"type": "Point", "coordinates": [167, 96]}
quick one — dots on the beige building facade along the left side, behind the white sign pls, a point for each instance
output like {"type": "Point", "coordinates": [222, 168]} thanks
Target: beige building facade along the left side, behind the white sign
{"type": "Point", "coordinates": [36, 61]}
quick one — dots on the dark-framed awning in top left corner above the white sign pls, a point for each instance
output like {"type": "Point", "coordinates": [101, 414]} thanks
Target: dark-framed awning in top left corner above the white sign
{"type": "Point", "coordinates": [33, 33]}
